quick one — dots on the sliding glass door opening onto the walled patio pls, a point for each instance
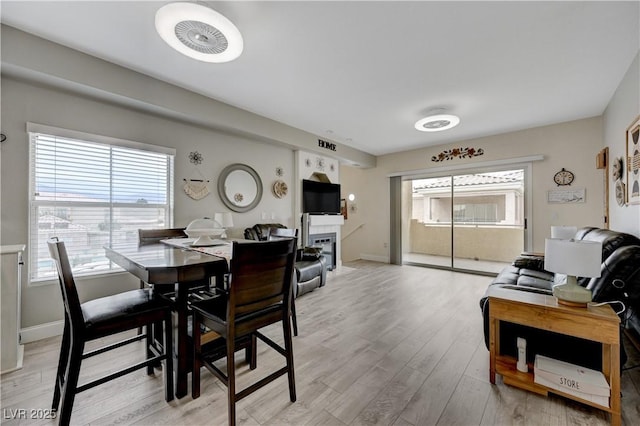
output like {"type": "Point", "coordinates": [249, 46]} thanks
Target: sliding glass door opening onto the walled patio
{"type": "Point", "coordinates": [472, 221]}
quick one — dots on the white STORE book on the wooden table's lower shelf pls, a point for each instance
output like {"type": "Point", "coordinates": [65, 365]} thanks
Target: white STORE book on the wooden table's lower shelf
{"type": "Point", "coordinates": [585, 383]}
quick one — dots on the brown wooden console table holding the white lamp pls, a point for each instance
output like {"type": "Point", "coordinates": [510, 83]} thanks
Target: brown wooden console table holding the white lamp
{"type": "Point", "coordinates": [599, 324]}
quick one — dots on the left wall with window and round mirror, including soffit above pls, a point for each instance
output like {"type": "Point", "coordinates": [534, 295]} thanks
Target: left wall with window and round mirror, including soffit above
{"type": "Point", "coordinates": [45, 83]}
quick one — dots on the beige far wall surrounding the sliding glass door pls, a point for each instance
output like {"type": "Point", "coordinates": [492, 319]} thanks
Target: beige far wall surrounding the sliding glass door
{"type": "Point", "coordinates": [572, 145]}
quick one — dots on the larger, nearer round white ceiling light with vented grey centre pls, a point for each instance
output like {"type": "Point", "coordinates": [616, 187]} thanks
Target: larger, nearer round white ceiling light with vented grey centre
{"type": "Point", "coordinates": [199, 32]}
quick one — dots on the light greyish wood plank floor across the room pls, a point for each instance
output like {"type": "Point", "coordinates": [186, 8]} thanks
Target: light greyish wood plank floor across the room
{"type": "Point", "coordinates": [380, 344]}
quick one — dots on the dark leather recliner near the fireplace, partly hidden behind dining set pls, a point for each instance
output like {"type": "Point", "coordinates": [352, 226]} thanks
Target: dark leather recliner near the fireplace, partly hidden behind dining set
{"type": "Point", "coordinates": [310, 266]}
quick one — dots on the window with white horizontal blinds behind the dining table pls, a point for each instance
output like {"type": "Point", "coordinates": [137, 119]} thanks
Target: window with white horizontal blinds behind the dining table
{"type": "Point", "coordinates": [90, 191]}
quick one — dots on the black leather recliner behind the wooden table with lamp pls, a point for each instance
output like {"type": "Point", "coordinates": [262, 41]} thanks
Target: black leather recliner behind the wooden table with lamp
{"type": "Point", "coordinates": [619, 281]}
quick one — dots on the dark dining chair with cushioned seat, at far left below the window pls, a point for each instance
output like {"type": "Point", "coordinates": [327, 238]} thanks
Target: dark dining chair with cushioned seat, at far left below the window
{"type": "Point", "coordinates": [103, 317]}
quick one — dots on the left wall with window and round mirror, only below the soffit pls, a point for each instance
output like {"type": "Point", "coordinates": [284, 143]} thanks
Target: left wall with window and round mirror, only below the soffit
{"type": "Point", "coordinates": [22, 102]}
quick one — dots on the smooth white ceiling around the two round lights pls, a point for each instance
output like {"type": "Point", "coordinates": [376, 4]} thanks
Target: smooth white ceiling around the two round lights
{"type": "Point", "coordinates": [362, 73]}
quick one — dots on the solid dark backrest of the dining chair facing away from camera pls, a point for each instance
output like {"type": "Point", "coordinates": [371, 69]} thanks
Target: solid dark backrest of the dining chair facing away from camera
{"type": "Point", "coordinates": [261, 275]}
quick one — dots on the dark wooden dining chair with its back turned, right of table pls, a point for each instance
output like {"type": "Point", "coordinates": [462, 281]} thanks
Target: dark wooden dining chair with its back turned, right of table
{"type": "Point", "coordinates": [259, 294]}
